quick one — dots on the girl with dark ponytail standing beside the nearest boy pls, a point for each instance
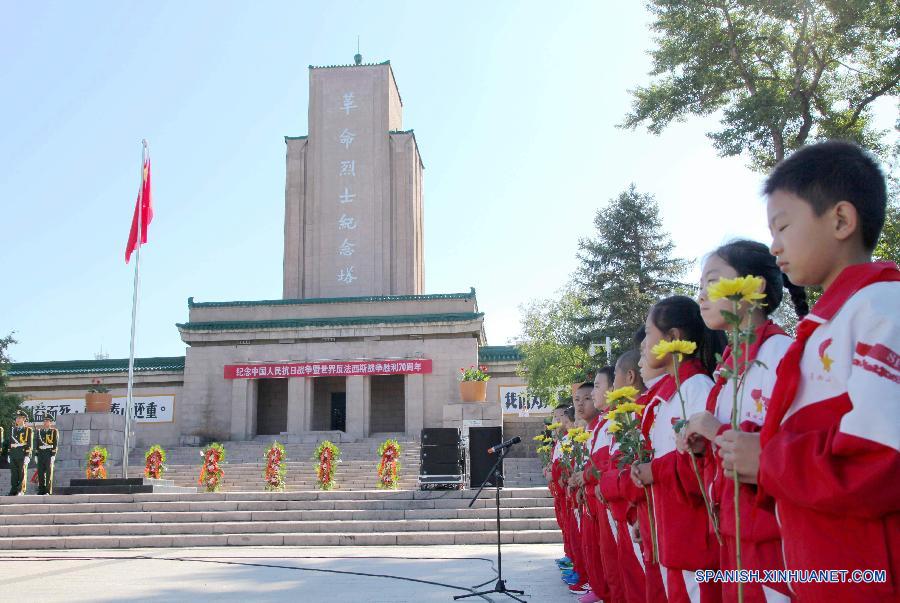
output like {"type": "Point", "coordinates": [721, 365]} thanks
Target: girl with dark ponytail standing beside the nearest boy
{"type": "Point", "coordinates": [760, 536]}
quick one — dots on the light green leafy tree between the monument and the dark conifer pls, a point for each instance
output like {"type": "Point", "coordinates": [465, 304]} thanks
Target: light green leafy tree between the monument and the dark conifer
{"type": "Point", "coordinates": [552, 358]}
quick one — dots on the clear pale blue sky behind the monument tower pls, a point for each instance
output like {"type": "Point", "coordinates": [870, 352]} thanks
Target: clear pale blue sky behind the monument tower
{"type": "Point", "coordinates": [514, 105]}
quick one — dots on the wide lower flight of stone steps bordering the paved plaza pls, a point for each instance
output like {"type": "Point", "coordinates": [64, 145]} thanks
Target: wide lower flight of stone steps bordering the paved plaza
{"type": "Point", "coordinates": [261, 518]}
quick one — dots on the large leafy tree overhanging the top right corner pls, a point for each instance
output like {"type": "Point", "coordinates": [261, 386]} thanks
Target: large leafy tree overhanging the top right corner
{"type": "Point", "coordinates": [779, 72]}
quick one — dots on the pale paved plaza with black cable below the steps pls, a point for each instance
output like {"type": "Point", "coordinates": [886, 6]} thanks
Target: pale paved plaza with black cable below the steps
{"type": "Point", "coordinates": [260, 574]}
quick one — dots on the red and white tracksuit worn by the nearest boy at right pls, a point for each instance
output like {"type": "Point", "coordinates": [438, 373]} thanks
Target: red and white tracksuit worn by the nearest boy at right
{"type": "Point", "coordinates": [831, 439]}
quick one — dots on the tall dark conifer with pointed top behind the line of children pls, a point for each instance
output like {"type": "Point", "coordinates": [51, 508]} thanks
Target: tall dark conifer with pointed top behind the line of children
{"type": "Point", "coordinates": [625, 268]}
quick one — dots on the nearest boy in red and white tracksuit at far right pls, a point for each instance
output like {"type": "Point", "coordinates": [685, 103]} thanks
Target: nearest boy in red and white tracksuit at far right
{"type": "Point", "coordinates": [830, 444]}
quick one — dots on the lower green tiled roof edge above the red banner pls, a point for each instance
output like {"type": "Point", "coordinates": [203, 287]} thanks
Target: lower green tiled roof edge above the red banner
{"type": "Point", "coordinates": [298, 323]}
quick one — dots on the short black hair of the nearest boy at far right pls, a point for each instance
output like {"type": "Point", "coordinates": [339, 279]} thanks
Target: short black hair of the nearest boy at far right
{"type": "Point", "coordinates": [826, 173]}
